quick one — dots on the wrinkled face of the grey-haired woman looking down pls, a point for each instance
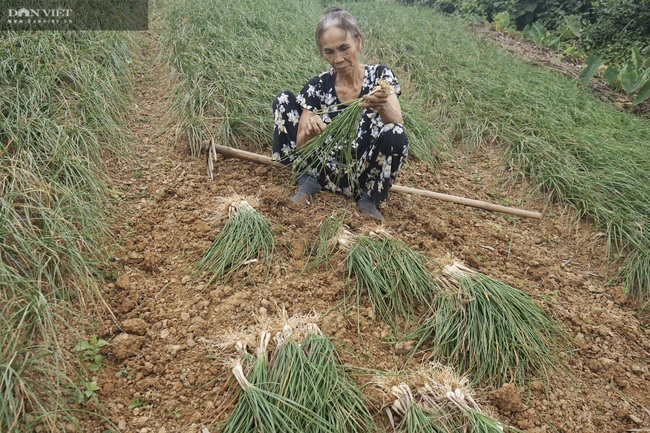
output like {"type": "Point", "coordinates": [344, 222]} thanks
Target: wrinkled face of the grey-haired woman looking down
{"type": "Point", "coordinates": [340, 49]}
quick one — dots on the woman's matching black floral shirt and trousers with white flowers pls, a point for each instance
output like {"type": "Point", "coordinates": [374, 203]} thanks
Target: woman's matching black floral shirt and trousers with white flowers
{"type": "Point", "coordinates": [380, 148]}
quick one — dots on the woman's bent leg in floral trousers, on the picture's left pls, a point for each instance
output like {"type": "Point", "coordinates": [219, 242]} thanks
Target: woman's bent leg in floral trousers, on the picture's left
{"type": "Point", "coordinates": [286, 114]}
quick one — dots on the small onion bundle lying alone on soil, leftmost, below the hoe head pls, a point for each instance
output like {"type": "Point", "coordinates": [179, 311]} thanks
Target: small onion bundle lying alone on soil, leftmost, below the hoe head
{"type": "Point", "coordinates": [246, 238]}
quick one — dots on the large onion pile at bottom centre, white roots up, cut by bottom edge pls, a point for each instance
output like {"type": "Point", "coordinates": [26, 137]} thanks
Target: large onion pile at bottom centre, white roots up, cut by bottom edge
{"type": "Point", "coordinates": [302, 388]}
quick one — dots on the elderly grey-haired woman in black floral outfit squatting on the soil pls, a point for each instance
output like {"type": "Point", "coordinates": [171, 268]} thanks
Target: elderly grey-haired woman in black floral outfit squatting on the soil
{"type": "Point", "coordinates": [381, 144]}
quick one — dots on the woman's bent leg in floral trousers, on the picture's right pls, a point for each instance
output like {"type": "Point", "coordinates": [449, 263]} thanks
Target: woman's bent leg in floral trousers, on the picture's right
{"type": "Point", "coordinates": [380, 163]}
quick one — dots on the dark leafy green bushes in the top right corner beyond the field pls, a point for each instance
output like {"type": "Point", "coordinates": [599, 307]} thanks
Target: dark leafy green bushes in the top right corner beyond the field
{"type": "Point", "coordinates": [613, 35]}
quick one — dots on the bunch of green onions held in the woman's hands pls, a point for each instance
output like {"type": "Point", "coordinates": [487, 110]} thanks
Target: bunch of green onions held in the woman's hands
{"type": "Point", "coordinates": [335, 142]}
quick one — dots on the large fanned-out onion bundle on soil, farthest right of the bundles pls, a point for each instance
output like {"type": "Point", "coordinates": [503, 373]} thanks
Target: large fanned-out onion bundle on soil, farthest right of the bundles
{"type": "Point", "coordinates": [489, 330]}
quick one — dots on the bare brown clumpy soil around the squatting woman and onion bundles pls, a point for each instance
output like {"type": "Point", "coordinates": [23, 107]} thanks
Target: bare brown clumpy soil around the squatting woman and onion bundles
{"type": "Point", "coordinates": [171, 211]}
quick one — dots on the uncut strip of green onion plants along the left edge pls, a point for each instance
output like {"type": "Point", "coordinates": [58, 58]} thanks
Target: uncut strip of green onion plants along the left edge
{"type": "Point", "coordinates": [62, 110]}
